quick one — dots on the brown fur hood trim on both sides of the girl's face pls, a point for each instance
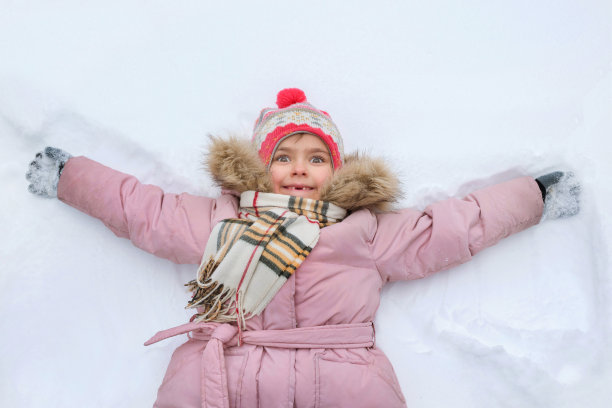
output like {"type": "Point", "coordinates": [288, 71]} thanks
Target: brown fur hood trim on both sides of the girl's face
{"type": "Point", "coordinates": [362, 182]}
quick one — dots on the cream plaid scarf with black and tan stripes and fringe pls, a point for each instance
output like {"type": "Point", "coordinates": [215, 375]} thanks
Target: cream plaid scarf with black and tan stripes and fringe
{"type": "Point", "coordinates": [248, 259]}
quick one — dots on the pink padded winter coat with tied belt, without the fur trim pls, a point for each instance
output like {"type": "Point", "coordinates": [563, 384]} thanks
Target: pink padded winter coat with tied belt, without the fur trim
{"type": "Point", "coordinates": [313, 345]}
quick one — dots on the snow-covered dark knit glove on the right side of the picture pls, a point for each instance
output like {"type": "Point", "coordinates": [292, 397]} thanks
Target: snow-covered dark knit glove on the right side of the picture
{"type": "Point", "coordinates": [561, 194]}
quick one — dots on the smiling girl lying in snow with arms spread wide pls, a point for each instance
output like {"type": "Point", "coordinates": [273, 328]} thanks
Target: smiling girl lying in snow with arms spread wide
{"type": "Point", "coordinates": [293, 256]}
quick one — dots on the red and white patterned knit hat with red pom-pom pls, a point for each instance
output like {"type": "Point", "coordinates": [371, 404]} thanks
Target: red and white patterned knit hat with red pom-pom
{"type": "Point", "coordinates": [295, 115]}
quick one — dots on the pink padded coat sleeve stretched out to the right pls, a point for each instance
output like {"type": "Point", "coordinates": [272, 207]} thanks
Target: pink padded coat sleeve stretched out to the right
{"type": "Point", "coordinates": [410, 244]}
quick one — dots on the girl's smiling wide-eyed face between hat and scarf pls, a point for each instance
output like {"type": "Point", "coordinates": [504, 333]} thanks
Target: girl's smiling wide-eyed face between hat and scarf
{"type": "Point", "coordinates": [300, 166]}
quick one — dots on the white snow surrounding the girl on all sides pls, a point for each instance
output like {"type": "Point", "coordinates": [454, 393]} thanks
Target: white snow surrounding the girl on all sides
{"type": "Point", "coordinates": [455, 95]}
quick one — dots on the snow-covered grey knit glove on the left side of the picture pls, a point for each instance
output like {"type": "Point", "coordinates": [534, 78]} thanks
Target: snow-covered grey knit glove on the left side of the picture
{"type": "Point", "coordinates": [44, 172]}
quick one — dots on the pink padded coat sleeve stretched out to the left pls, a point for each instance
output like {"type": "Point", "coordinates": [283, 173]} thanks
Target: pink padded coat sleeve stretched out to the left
{"type": "Point", "coordinates": [172, 226]}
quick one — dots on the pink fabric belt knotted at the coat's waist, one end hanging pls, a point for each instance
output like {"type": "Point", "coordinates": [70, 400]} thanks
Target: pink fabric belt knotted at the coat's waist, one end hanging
{"type": "Point", "coordinates": [218, 336]}
